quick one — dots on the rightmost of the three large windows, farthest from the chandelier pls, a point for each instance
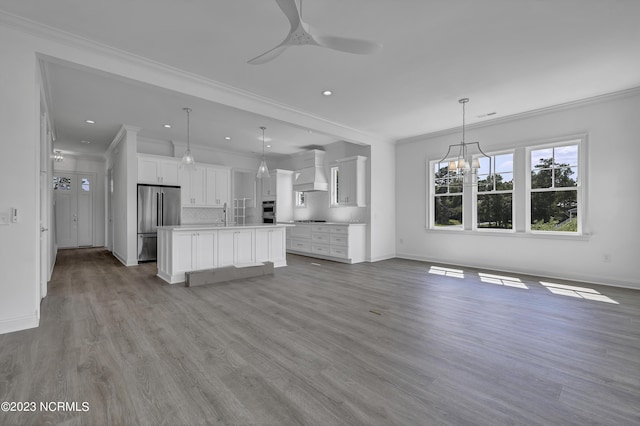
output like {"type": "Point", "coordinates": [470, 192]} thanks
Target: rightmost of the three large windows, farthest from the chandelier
{"type": "Point", "coordinates": [553, 188]}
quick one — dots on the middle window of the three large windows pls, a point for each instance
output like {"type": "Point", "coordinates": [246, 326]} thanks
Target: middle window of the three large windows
{"type": "Point", "coordinates": [494, 196]}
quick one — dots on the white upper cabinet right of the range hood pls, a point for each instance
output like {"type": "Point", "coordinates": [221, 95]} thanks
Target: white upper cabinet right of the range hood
{"type": "Point", "coordinates": [348, 182]}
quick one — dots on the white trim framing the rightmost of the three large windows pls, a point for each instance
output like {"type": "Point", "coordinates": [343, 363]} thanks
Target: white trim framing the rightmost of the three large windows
{"type": "Point", "coordinates": [581, 141]}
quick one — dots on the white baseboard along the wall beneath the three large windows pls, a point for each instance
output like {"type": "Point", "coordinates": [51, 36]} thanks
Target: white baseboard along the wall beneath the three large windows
{"type": "Point", "coordinates": [611, 282]}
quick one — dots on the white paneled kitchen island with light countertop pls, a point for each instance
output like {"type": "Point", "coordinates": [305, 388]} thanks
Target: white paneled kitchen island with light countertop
{"type": "Point", "coordinates": [186, 248]}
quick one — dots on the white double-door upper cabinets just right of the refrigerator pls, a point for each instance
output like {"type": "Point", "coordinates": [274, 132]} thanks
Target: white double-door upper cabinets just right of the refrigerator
{"type": "Point", "coordinates": [205, 186]}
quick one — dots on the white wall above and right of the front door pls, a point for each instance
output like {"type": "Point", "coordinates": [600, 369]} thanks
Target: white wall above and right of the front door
{"type": "Point", "coordinates": [97, 167]}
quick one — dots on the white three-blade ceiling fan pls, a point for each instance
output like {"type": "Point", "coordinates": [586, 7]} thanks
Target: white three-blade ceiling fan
{"type": "Point", "coordinates": [302, 33]}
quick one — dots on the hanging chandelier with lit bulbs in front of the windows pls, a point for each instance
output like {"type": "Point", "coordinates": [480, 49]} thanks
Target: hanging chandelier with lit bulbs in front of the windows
{"type": "Point", "coordinates": [465, 166]}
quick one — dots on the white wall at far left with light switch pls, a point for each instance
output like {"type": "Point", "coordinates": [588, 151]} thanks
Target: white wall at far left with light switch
{"type": "Point", "coordinates": [19, 174]}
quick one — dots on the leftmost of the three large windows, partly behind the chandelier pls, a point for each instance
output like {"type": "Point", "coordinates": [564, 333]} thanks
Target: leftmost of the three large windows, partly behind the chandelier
{"type": "Point", "coordinates": [447, 198]}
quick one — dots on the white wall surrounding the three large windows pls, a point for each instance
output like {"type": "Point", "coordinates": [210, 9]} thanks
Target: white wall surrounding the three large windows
{"type": "Point", "coordinates": [613, 199]}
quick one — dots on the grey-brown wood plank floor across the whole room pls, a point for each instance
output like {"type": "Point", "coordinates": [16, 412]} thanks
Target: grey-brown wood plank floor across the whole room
{"type": "Point", "coordinates": [303, 348]}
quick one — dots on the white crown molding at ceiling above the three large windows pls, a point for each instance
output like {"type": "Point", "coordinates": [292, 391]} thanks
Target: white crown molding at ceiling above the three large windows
{"type": "Point", "coordinates": [527, 114]}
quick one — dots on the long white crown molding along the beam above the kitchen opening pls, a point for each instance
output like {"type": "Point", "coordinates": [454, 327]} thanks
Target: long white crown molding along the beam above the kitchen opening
{"type": "Point", "coordinates": [229, 95]}
